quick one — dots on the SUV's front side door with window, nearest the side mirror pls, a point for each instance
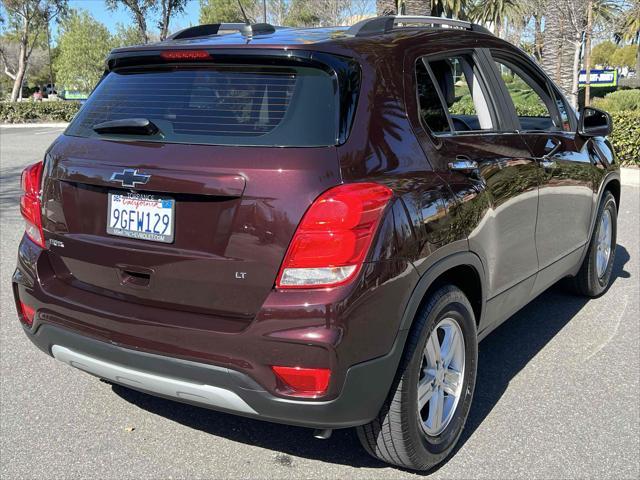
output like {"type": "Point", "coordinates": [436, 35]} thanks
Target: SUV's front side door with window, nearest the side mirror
{"type": "Point", "coordinates": [569, 178]}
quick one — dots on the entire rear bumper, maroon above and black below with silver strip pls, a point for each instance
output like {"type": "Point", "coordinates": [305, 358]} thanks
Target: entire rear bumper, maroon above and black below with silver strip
{"type": "Point", "coordinates": [159, 352]}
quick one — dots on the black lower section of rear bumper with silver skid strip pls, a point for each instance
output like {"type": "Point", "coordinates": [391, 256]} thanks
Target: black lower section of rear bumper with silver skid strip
{"type": "Point", "coordinates": [216, 387]}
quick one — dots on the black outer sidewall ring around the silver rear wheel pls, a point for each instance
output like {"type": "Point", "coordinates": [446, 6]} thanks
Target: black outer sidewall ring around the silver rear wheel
{"type": "Point", "coordinates": [438, 447]}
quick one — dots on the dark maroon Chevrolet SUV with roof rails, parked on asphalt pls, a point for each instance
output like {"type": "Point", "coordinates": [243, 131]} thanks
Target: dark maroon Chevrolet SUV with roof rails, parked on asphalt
{"type": "Point", "coordinates": [313, 227]}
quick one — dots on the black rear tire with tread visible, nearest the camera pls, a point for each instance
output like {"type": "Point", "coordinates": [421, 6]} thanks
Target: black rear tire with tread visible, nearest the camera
{"type": "Point", "coordinates": [398, 434]}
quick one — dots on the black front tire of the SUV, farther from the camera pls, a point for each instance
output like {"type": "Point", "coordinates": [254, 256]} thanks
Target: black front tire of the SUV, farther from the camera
{"type": "Point", "coordinates": [592, 280]}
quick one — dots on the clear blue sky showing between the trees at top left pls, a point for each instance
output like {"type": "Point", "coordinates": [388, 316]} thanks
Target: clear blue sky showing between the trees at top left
{"type": "Point", "coordinates": [98, 9]}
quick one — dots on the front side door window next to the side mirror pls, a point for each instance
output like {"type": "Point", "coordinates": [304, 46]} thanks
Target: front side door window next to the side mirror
{"type": "Point", "coordinates": [535, 106]}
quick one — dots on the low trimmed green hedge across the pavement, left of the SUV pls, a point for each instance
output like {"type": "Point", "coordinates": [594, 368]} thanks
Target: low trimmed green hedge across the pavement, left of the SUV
{"type": "Point", "coordinates": [29, 112]}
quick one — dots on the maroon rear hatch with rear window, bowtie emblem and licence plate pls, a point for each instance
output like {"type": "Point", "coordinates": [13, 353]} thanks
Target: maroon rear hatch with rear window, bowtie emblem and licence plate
{"type": "Point", "coordinates": [197, 216]}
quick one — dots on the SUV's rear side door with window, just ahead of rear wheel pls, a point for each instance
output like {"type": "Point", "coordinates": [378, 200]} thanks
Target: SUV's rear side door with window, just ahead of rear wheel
{"type": "Point", "coordinates": [459, 122]}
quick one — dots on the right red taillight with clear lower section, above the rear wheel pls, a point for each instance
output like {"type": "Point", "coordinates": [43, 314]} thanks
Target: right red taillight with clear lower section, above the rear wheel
{"type": "Point", "coordinates": [335, 234]}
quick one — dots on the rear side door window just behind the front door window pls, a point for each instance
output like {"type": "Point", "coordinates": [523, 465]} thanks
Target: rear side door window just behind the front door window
{"type": "Point", "coordinates": [450, 95]}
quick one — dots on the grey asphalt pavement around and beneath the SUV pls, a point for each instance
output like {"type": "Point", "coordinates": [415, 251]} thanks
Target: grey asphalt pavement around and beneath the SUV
{"type": "Point", "coordinates": [557, 393]}
